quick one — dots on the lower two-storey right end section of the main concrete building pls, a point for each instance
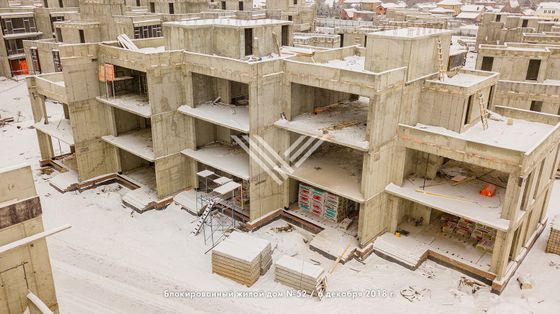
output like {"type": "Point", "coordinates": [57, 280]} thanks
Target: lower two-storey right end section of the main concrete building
{"type": "Point", "coordinates": [439, 209]}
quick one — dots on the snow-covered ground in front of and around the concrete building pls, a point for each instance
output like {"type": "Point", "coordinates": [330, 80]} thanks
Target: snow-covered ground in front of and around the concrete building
{"type": "Point", "coordinates": [116, 261]}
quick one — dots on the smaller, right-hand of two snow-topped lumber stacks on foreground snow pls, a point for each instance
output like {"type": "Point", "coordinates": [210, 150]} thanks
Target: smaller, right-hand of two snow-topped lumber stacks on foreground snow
{"type": "Point", "coordinates": [301, 275]}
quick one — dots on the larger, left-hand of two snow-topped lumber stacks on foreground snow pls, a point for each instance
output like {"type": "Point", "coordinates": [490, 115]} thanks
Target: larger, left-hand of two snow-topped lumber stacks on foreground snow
{"type": "Point", "coordinates": [242, 258]}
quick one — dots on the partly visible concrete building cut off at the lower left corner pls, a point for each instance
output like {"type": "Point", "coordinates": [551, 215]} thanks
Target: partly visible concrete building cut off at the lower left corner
{"type": "Point", "coordinates": [25, 269]}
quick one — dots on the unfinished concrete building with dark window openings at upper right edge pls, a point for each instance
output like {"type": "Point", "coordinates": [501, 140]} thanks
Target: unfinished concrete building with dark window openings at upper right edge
{"type": "Point", "coordinates": [525, 53]}
